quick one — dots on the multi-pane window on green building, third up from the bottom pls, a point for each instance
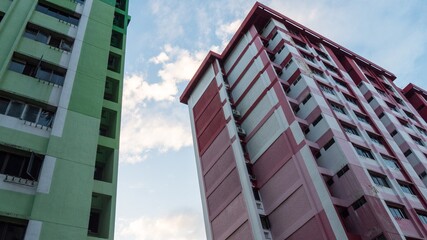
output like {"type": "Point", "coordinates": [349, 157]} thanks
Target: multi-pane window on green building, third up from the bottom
{"type": "Point", "coordinates": [26, 112]}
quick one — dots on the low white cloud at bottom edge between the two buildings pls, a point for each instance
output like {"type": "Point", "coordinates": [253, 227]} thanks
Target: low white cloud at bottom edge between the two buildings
{"type": "Point", "coordinates": [179, 226]}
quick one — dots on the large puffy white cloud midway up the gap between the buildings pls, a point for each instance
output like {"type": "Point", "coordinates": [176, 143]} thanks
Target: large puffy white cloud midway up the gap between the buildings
{"type": "Point", "coordinates": [147, 126]}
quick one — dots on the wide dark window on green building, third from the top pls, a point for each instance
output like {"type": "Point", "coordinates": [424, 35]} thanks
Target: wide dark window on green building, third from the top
{"type": "Point", "coordinates": [38, 69]}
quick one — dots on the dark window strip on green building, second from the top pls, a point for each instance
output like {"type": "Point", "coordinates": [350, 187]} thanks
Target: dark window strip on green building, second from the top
{"type": "Point", "coordinates": [47, 37]}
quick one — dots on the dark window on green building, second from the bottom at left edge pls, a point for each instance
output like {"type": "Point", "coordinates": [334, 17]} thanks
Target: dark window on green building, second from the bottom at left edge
{"type": "Point", "coordinates": [24, 165]}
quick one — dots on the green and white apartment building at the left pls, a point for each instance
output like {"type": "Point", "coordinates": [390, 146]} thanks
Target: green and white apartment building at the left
{"type": "Point", "coordinates": [61, 79]}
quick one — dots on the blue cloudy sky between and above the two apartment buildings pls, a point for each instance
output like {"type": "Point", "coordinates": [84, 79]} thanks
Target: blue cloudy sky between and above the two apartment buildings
{"type": "Point", "coordinates": [158, 192]}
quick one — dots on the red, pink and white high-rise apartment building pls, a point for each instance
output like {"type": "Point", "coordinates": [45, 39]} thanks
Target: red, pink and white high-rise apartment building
{"type": "Point", "coordinates": [297, 137]}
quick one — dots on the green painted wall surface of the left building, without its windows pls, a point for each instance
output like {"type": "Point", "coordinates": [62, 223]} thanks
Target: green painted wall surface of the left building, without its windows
{"type": "Point", "coordinates": [65, 209]}
